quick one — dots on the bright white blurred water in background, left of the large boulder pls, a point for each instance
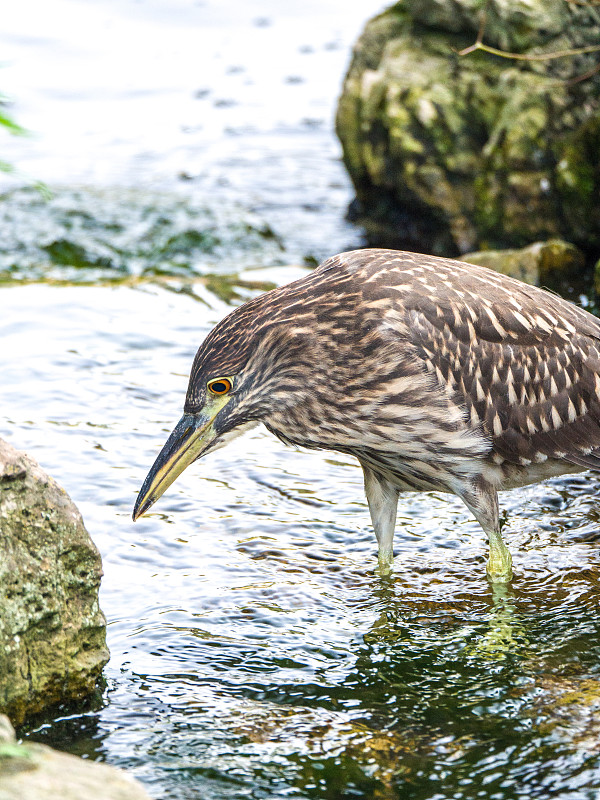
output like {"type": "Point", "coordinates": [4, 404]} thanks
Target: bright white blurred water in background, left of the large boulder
{"type": "Point", "coordinates": [222, 99]}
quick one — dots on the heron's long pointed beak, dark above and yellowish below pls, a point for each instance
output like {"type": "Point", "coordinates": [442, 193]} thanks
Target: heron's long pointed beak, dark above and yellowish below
{"type": "Point", "coordinates": [189, 439]}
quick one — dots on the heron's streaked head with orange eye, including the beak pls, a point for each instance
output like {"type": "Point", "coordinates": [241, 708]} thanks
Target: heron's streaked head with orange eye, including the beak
{"type": "Point", "coordinates": [247, 366]}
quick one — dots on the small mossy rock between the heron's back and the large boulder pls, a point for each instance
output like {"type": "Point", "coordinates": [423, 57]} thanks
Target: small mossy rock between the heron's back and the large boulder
{"type": "Point", "coordinates": [550, 264]}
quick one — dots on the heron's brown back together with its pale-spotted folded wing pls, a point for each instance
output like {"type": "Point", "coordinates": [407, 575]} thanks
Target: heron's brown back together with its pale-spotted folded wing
{"type": "Point", "coordinates": [524, 364]}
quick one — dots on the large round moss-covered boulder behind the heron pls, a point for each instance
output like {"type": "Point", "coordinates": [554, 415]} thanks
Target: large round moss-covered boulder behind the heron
{"type": "Point", "coordinates": [453, 153]}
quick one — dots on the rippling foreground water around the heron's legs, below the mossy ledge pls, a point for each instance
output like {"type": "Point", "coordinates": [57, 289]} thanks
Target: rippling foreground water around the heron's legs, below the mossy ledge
{"type": "Point", "coordinates": [255, 651]}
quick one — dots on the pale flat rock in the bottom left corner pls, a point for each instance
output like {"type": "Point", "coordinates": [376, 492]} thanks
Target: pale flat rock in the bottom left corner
{"type": "Point", "coordinates": [35, 772]}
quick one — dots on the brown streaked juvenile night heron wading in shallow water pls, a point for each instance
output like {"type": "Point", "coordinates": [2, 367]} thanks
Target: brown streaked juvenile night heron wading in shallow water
{"type": "Point", "coordinates": [436, 374]}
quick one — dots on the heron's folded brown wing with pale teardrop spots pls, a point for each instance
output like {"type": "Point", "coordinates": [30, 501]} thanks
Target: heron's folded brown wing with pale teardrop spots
{"type": "Point", "coordinates": [524, 364]}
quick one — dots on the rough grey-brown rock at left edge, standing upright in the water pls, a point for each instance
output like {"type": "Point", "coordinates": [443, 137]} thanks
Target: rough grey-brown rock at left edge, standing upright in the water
{"type": "Point", "coordinates": [52, 632]}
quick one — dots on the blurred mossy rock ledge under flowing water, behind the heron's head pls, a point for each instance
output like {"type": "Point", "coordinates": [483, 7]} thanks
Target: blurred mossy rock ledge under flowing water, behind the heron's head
{"type": "Point", "coordinates": [87, 236]}
